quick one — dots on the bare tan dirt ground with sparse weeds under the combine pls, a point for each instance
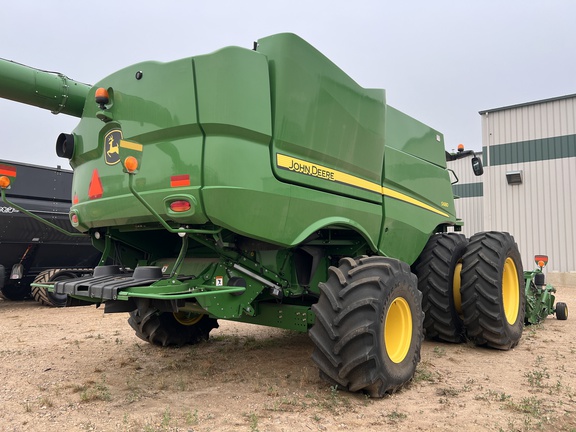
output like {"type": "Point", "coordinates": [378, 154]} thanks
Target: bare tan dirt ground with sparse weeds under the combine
{"type": "Point", "coordinates": [76, 369]}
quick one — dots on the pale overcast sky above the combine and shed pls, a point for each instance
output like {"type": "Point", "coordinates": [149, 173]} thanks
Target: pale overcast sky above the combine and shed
{"type": "Point", "coordinates": [439, 61]}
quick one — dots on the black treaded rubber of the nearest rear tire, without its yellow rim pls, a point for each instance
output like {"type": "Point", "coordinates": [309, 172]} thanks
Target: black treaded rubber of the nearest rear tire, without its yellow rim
{"type": "Point", "coordinates": [346, 329]}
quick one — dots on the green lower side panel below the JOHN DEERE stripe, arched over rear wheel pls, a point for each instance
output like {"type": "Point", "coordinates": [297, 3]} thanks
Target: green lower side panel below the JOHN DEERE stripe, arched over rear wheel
{"type": "Point", "coordinates": [248, 199]}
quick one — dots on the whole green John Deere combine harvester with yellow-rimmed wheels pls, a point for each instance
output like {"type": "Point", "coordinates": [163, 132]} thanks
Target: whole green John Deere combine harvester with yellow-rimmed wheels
{"type": "Point", "coordinates": [266, 186]}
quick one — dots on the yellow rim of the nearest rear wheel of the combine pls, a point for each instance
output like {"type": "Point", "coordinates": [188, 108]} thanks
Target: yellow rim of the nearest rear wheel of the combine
{"type": "Point", "coordinates": [398, 330]}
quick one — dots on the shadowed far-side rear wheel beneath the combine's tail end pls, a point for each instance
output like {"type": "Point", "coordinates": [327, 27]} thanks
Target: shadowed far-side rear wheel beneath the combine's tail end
{"type": "Point", "coordinates": [167, 328]}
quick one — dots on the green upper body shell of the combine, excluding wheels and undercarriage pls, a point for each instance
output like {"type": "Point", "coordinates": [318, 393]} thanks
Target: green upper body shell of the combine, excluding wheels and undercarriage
{"type": "Point", "coordinates": [211, 123]}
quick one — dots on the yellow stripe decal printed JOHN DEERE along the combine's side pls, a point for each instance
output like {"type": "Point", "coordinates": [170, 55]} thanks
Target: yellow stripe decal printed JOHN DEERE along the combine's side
{"type": "Point", "coordinates": [307, 168]}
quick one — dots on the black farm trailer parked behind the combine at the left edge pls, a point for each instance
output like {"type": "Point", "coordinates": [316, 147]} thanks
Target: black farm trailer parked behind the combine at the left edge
{"type": "Point", "coordinates": [31, 251]}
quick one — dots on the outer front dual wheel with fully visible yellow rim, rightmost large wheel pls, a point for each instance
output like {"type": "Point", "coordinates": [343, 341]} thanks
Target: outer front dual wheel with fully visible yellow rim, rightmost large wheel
{"type": "Point", "coordinates": [493, 297]}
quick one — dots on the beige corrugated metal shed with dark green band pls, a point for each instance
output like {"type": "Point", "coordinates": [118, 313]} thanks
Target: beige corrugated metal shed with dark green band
{"type": "Point", "coordinates": [529, 182]}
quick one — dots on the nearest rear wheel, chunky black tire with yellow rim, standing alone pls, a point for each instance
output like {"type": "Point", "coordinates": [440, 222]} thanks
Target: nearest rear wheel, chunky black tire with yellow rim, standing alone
{"type": "Point", "coordinates": [368, 328]}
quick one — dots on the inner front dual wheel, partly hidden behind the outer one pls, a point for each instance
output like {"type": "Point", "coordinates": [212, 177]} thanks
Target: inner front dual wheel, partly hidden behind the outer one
{"type": "Point", "coordinates": [438, 270]}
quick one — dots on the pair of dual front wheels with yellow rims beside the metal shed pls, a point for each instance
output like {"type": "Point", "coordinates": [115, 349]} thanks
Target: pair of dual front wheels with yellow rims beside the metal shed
{"type": "Point", "coordinates": [472, 289]}
